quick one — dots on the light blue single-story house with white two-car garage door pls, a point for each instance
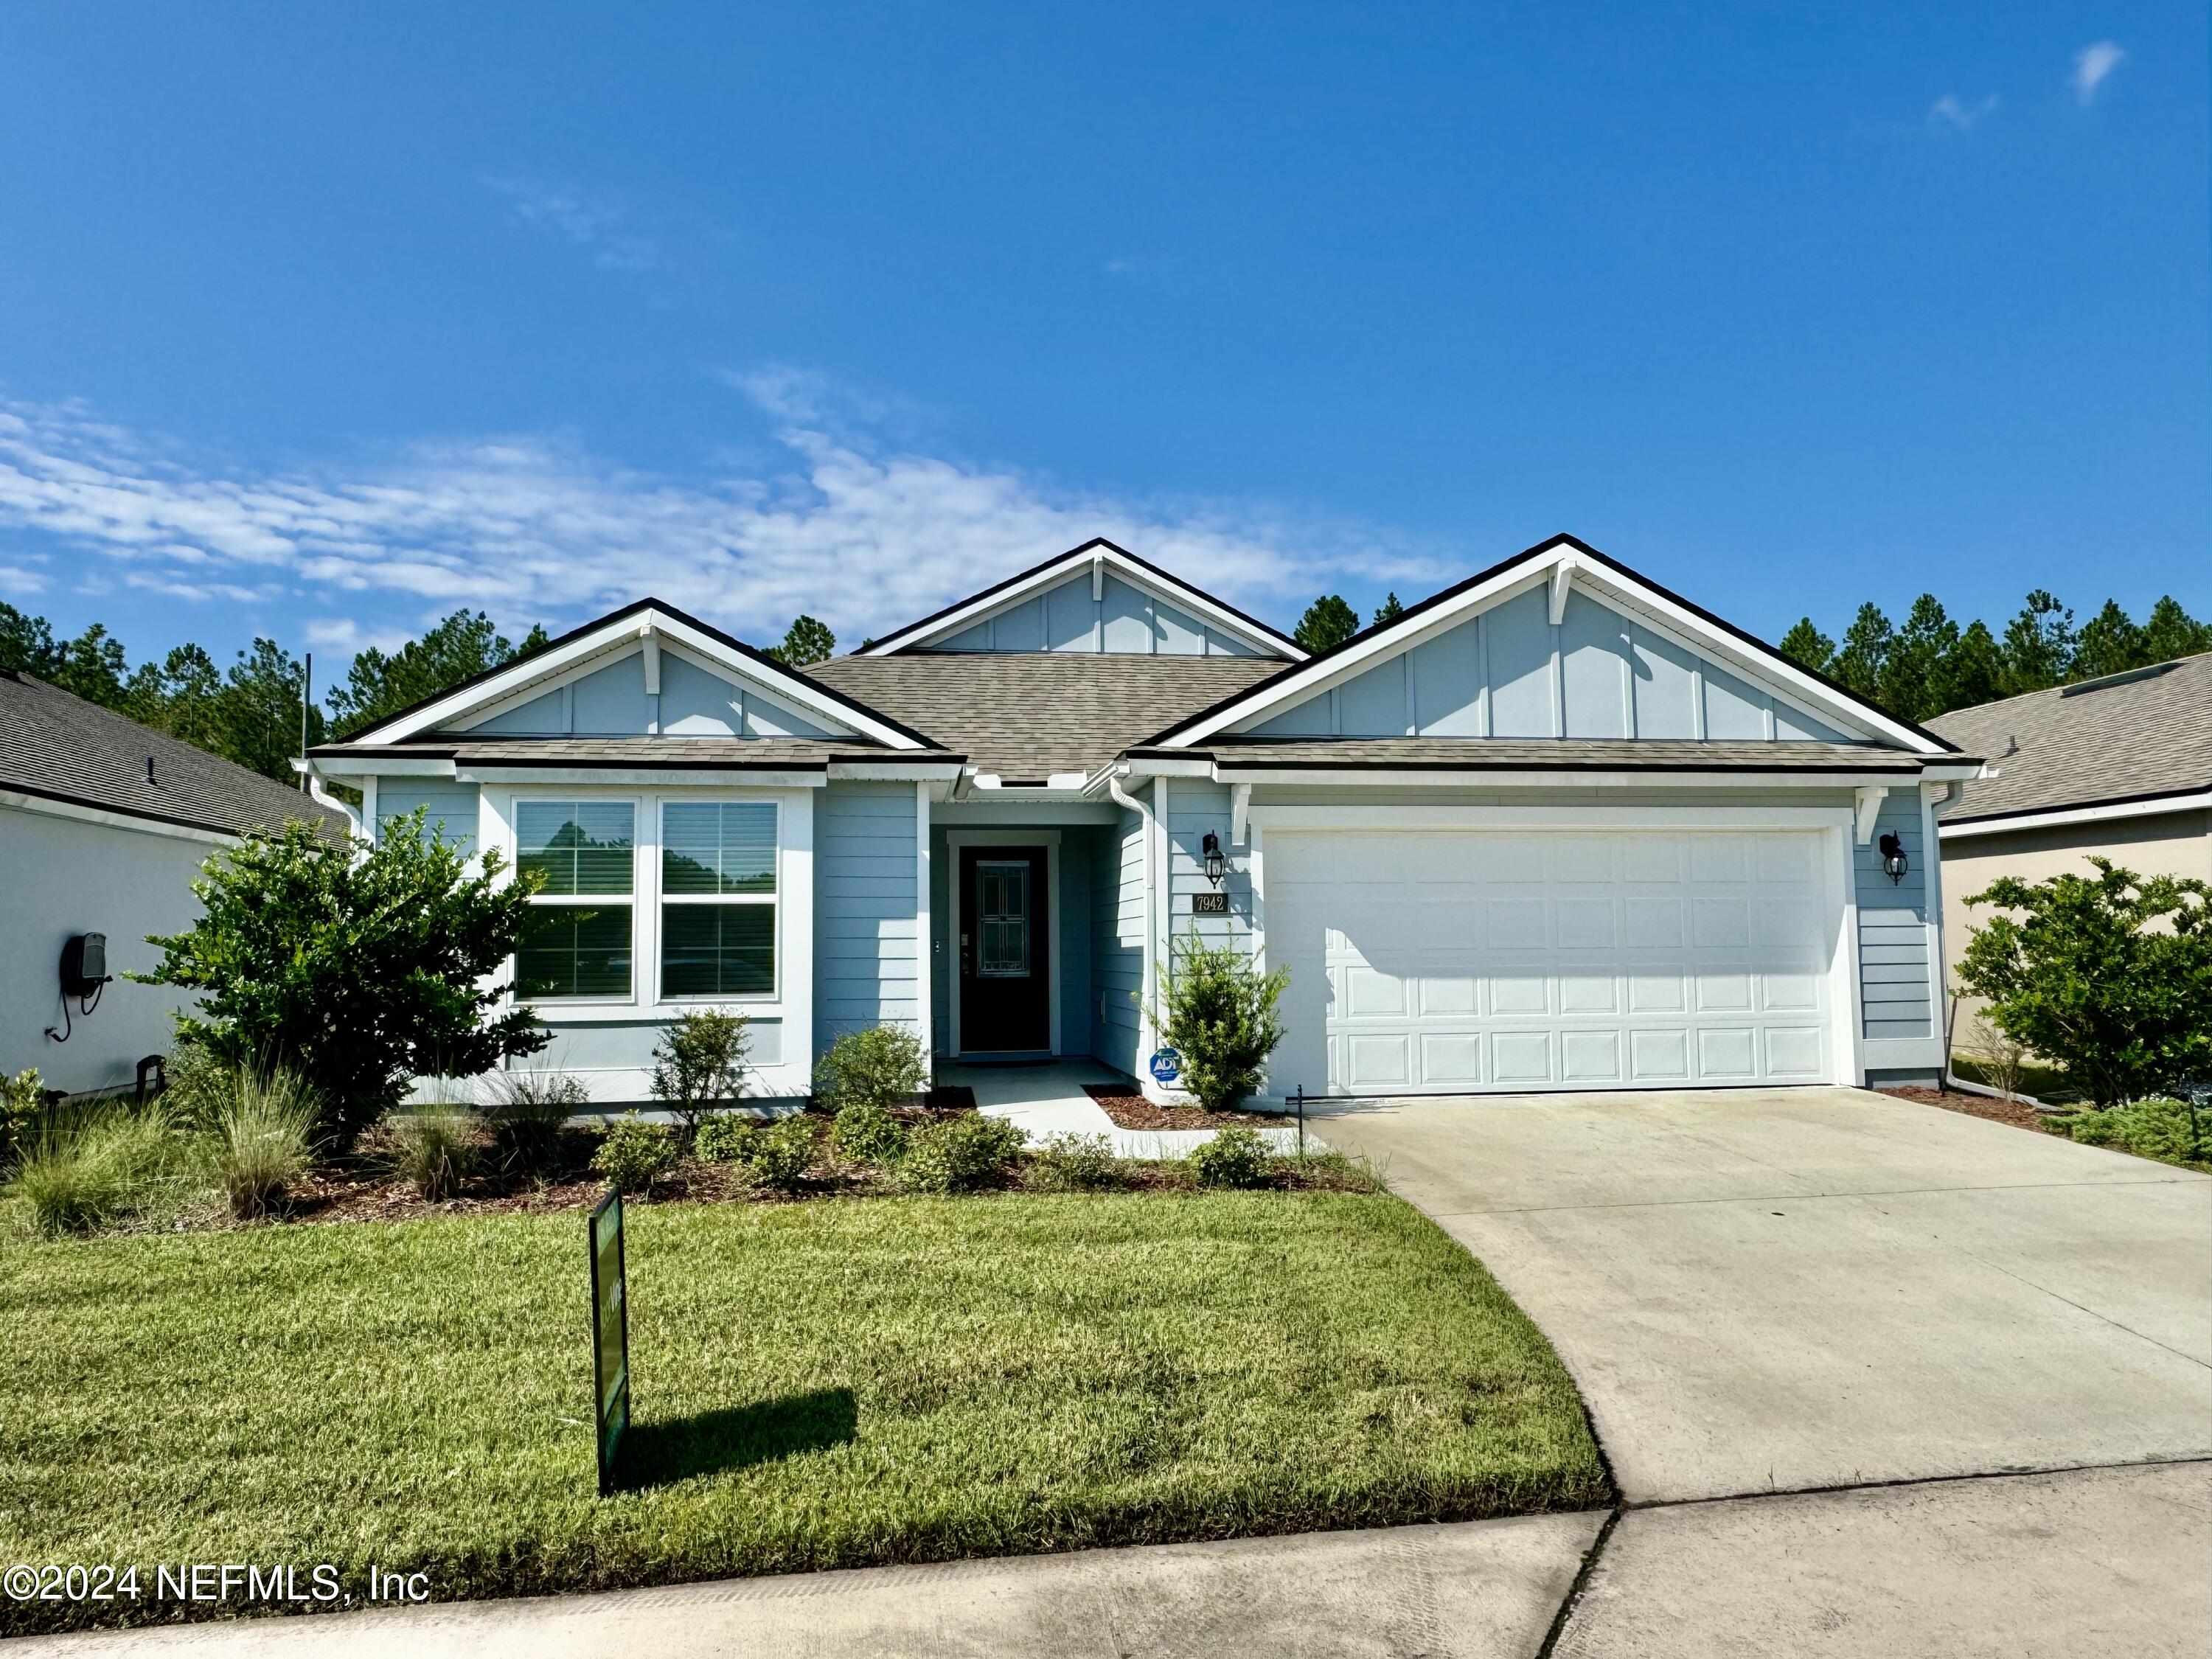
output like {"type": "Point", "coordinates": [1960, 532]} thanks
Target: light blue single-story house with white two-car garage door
{"type": "Point", "coordinates": [1552, 828]}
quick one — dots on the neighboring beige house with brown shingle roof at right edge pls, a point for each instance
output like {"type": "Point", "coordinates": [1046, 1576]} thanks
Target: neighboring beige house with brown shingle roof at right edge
{"type": "Point", "coordinates": [2118, 769]}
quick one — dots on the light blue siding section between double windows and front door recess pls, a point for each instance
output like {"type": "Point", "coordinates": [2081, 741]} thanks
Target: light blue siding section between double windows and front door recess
{"type": "Point", "coordinates": [866, 912]}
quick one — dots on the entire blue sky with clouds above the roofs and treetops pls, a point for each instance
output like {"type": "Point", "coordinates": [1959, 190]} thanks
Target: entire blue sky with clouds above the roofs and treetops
{"type": "Point", "coordinates": [324, 322]}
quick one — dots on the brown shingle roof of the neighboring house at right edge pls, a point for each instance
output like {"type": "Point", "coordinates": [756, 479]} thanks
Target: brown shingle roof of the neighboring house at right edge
{"type": "Point", "coordinates": [2085, 744]}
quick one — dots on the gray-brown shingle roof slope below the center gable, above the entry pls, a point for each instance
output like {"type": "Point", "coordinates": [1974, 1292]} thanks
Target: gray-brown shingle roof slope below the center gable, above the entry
{"type": "Point", "coordinates": [1027, 718]}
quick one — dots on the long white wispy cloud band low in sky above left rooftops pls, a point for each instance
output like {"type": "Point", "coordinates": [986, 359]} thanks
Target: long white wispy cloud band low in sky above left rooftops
{"type": "Point", "coordinates": [534, 528]}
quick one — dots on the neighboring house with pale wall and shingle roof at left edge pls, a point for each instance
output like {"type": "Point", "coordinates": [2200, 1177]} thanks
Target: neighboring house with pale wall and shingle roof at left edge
{"type": "Point", "coordinates": [103, 828]}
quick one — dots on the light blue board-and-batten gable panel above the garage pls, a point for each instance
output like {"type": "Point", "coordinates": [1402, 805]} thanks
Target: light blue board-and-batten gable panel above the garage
{"type": "Point", "coordinates": [1510, 671]}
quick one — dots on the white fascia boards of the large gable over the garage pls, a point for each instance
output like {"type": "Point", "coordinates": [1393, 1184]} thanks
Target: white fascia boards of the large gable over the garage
{"type": "Point", "coordinates": [1556, 570]}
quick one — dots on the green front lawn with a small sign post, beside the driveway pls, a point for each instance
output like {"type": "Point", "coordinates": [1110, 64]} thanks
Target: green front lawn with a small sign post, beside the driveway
{"type": "Point", "coordinates": [815, 1386]}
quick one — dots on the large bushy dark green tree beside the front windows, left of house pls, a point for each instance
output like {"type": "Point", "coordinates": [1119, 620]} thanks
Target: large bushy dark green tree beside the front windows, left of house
{"type": "Point", "coordinates": [353, 968]}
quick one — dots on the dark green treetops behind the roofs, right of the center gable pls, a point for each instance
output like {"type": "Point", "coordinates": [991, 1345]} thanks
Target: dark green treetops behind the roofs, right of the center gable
{"type": "Point", "coordinates": [1930, 665]}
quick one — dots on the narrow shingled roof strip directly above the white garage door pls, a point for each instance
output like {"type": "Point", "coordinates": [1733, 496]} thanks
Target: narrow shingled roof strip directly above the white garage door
{"type": "Point", "coordinates": [1556, 753]}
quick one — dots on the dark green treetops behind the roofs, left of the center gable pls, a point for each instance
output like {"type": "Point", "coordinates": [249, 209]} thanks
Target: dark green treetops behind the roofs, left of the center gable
{"type": "Point", "coordinates": [251, 713]}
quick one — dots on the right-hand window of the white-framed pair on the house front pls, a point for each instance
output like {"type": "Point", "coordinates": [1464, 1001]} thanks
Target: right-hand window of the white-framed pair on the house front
{"type": "Point", "coordinates": [718, 899]}
